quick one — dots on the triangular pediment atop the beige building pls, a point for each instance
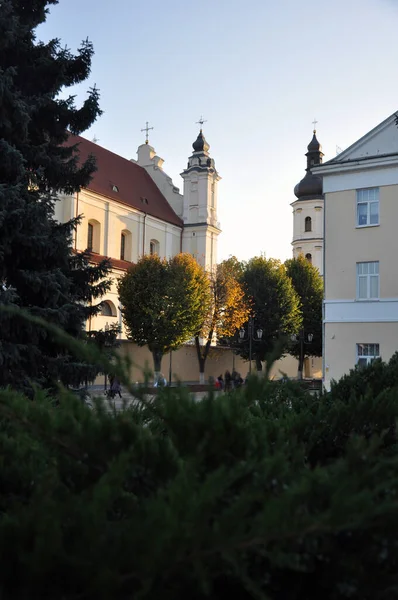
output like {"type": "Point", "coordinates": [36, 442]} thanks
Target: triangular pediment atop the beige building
{"type": "Point", "coordinates": [382, 140]}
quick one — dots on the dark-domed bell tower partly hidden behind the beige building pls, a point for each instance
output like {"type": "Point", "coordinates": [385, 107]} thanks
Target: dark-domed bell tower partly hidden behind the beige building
{"type": "Point", "coordinates": [308, 209]}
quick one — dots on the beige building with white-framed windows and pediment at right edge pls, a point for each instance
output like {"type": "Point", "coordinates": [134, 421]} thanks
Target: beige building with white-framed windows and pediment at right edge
{"type": "Point", "coordinates": [360, 190]}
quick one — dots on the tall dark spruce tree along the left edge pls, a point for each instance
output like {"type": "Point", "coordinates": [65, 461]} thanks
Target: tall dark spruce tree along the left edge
{"type": "Point", "coordinates": [38, 269]}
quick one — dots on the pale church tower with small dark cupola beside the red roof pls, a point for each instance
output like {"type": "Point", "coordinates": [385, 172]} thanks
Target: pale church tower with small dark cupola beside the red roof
{"type": "Point", "coordinates": [201, 227]}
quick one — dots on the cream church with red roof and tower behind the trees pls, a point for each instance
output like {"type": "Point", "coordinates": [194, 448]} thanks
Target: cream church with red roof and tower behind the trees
{"type": "Point", "coordinates": [131, 208]}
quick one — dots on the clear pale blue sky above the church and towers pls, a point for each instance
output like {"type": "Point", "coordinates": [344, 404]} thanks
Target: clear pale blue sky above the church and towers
{"type": "Point", "coordinates": [259, 72]}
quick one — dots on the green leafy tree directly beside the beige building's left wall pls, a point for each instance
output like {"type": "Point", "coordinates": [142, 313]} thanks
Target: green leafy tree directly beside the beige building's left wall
{"type": "Point", "coordinates": [308, 284]}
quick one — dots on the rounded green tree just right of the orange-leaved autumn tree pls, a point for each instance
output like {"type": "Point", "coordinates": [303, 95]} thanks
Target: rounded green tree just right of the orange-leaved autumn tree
{"type": "Point", "coordinates": [275, 307]}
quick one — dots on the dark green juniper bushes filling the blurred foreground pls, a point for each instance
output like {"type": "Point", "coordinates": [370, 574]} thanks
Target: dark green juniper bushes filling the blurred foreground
{"type": "Point", "coordinates": [267, 493]}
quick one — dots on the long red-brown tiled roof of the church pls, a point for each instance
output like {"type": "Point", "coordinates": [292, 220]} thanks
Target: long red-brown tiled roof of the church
{"type": "Point", "coordinates": [132, 181]}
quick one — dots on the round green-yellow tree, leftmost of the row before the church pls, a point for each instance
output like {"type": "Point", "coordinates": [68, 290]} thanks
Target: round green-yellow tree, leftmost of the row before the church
{"type": "Point", "coordinates": [164, 302]}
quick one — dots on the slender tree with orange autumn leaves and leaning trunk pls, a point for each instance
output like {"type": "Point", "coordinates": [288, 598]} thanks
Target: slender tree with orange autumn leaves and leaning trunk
{"type": "Point", "coordinates": [228, 310]}
